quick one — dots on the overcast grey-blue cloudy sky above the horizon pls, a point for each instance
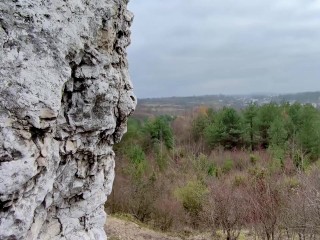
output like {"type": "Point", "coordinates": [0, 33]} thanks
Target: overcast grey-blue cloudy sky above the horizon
{"type": "Point", "coordinates": [198, 47]}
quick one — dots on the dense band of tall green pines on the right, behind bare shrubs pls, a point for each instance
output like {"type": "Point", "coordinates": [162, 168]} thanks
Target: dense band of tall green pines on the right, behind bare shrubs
{"type": "Point", "coordinates": [285, 129]}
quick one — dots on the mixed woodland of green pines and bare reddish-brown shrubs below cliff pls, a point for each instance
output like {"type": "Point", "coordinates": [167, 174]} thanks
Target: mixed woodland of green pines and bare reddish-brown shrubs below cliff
{"type": "Point", "coordinates": [254, 171]}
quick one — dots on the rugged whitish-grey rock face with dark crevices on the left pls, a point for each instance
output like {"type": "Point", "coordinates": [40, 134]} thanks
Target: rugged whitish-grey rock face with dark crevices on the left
{"type": "Point", "coordinates": [65, 95]}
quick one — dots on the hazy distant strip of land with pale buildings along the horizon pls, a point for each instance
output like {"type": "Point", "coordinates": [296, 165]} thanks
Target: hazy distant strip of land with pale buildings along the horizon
{"type": "Point", "coordinates": [180, 105]}
